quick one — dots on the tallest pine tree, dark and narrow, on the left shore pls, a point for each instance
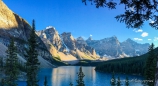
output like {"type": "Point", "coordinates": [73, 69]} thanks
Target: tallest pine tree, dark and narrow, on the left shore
{"type": "Point", "coordinates": [32, 63]}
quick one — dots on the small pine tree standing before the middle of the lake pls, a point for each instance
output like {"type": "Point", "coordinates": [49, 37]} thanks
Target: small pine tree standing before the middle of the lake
{"type": "Point", "coordinates": [80, 81]}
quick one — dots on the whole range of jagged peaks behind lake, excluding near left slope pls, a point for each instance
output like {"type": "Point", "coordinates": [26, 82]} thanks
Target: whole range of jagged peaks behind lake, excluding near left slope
{"type": "Point", "coordinates": [65, 45]}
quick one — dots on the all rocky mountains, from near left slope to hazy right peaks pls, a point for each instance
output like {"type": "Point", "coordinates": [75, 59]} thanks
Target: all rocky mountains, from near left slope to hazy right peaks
{"type": "Point", "coordinates": [63, 46]}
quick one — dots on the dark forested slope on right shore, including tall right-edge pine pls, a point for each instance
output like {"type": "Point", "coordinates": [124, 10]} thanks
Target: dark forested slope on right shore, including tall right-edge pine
{"type": "Point", "coordinates": [144, 65]}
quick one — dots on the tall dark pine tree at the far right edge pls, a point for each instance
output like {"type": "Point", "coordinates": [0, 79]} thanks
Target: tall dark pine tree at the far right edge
{"type": "Point", "coordinates": [150, 67]}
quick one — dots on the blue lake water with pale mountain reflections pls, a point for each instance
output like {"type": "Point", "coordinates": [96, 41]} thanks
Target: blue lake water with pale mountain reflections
{"type": "Point", "coordinates": [63, 75]}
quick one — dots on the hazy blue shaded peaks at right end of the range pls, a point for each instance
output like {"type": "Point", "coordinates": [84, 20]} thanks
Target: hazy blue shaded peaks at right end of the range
{"type": "Point", "coordinates": [111, 47]}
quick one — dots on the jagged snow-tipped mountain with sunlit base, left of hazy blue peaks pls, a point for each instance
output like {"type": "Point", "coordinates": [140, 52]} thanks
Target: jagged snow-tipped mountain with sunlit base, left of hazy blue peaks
{"type": "Point", "coordinates": [65, 47]}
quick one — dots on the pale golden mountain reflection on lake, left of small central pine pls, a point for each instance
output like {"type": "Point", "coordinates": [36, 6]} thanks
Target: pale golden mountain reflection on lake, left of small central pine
{"type": "Point", "coordinates": [62, 76]}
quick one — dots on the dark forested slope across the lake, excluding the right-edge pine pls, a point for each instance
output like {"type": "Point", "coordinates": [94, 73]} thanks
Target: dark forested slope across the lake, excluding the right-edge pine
{"type": "Point", "coordinates": [133, 65]}
